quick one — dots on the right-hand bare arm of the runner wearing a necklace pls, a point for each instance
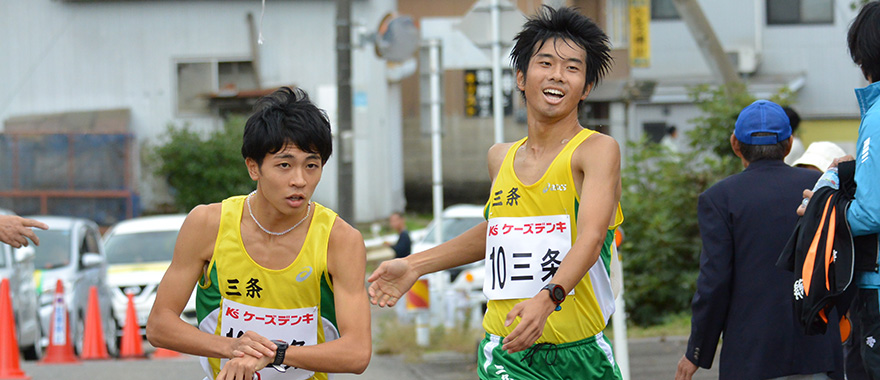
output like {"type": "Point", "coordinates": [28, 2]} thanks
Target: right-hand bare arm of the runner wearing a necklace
{"type": "Point", "coordinates": [346, 261]}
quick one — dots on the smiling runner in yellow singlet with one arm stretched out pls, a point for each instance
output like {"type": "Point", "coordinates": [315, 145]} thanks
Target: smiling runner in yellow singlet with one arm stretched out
{"type": "Point", "coordinates": [551, 218]}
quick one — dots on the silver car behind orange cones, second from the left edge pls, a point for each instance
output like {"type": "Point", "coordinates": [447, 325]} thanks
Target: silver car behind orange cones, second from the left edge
{"type": "Point", "coordinates": [71, 250]}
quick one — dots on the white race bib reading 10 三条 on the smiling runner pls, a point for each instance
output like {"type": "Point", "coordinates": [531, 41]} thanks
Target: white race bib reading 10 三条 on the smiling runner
{"type": "Point", "coordinates": [523, 254]}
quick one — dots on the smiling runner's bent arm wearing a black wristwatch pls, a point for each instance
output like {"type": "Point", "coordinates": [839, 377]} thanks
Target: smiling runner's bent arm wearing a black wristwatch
{"type": "Point", "coordinates": [599, 160]}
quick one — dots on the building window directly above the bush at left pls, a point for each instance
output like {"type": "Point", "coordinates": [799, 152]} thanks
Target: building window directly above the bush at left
{"type": "Point", "coordinates": [198, 81]}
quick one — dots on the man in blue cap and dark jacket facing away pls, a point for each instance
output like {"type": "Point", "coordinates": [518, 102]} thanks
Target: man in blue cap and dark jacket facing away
{"type": "Point", "coordinates": [745, 221]}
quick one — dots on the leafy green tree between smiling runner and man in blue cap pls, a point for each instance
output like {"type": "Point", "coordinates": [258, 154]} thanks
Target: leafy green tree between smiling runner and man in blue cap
{"type": "Point", "coordinates": [660, 190]}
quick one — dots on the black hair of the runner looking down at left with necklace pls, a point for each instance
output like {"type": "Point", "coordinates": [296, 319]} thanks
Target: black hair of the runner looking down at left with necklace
{"type": "Point", "coordinates": [286, 116]}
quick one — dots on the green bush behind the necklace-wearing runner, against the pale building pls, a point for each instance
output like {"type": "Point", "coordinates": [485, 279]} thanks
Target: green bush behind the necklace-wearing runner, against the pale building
{"type": "Point", "coordinates": [202, 169]}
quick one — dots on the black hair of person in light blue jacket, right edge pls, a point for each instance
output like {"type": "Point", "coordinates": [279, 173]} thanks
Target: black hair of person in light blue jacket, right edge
{"type": "Point", "coordinates": [863, 40]}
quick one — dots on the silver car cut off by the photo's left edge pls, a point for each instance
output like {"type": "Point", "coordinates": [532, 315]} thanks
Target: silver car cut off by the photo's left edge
{"type": "Point", "coordinates": [17, 265]}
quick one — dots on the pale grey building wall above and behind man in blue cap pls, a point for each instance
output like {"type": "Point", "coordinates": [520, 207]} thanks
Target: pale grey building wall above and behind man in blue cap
{"type": "Point", "coordinates": [816, 53]}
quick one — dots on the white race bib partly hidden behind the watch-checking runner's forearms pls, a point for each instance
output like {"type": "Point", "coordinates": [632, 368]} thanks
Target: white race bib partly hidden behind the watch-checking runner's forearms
{"type": "Point", "coordinates": [297, 327]}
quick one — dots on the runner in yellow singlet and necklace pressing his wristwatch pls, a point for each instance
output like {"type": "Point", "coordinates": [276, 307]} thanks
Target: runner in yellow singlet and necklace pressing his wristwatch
{"type": "Point", "coordinates": [280, 277]}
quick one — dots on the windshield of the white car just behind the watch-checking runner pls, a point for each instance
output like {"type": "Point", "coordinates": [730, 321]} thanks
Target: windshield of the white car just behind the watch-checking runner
{"type": "Point", "coordinates": [144, 247]}
